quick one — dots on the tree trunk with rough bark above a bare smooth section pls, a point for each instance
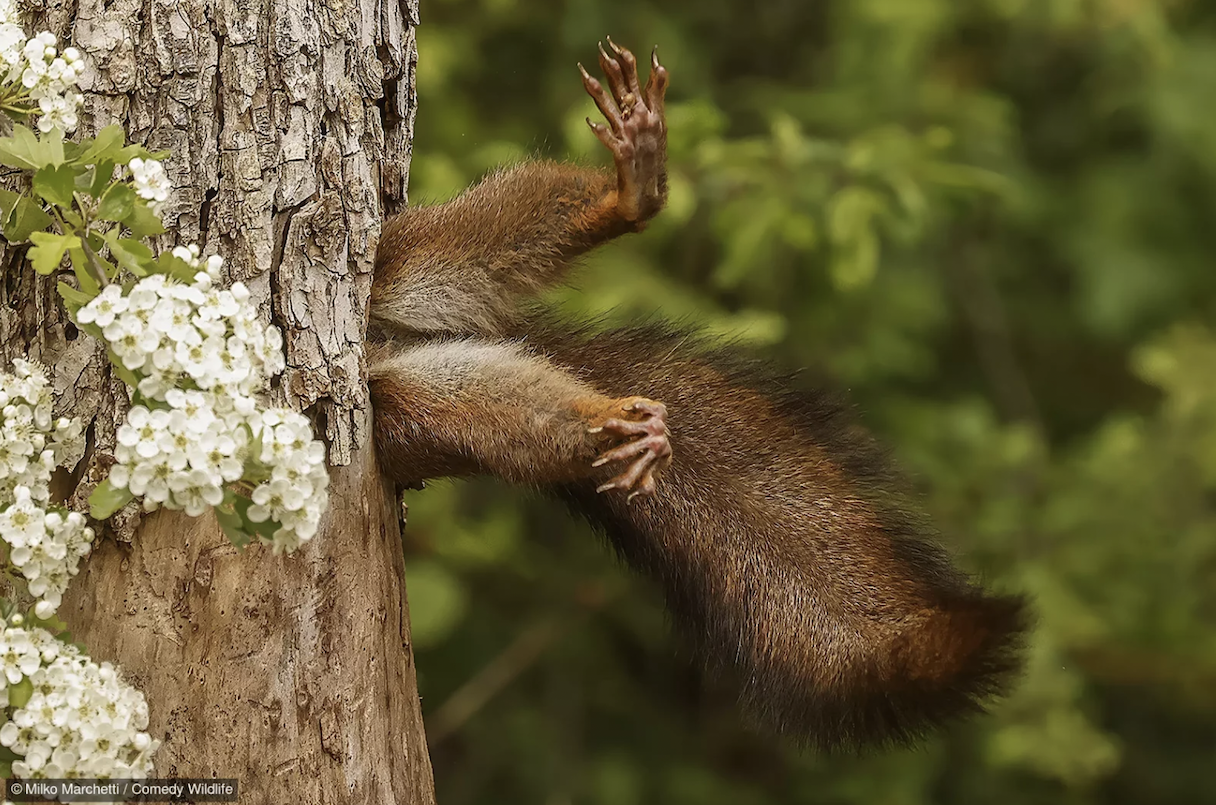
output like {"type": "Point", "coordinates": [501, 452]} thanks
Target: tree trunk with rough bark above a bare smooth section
{"type": "Point", "coordinates": [289, 127]}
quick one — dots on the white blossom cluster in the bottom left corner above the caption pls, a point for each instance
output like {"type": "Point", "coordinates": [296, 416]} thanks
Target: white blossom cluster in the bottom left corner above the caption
{"type": "Point", "coordinates": [82, 719]}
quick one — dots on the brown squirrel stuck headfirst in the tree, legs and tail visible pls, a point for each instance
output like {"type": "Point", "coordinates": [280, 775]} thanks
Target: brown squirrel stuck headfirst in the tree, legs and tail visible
{"type": "Point", "coordinates": [776, 533]}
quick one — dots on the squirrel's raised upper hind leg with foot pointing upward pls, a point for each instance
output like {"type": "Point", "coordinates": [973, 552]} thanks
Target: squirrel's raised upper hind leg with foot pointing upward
{"type": "Point", "coordinates": [464, 267]}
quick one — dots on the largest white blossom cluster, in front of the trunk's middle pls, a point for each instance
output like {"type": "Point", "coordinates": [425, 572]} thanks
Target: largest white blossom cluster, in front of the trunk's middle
{"type": "Point", "coordinates": [201, 356]}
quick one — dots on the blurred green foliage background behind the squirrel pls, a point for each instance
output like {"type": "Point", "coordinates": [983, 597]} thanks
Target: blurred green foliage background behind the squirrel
{"type": "Point", "coordinates": [994, 222]}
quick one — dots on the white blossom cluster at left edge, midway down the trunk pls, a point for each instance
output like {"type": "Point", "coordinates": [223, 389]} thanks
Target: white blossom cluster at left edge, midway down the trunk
{"type": "Point", "coordinates": [44, 543]}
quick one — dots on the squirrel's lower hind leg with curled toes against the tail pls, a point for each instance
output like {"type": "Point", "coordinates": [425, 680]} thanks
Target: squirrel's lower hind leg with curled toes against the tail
{"type": "Point", "coordinates": [477, 407]}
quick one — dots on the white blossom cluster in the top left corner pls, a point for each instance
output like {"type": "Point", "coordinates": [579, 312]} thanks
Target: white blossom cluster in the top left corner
{"type": "Point", "coordinates": [47, 76]}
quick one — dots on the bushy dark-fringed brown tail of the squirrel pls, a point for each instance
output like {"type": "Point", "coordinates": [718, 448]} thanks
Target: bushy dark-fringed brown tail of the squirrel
{"type": "Point", "coordinates": [787, 553]}
